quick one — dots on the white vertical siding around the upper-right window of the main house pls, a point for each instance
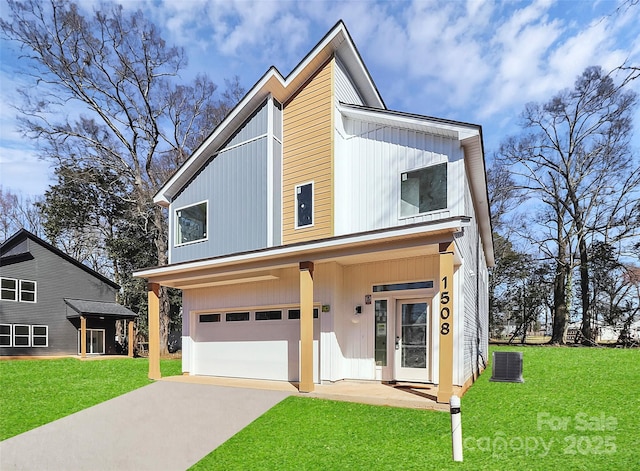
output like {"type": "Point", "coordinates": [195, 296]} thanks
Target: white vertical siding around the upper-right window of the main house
{"type": "Point", "coordinates": [370, 159]}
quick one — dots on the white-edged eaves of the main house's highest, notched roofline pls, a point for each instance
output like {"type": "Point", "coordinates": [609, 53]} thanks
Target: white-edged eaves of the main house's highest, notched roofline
{"type": "Point", "coordinates": [336, 42]}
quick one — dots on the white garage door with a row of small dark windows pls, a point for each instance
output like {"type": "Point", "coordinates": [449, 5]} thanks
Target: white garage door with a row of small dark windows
{"type": "Point", "coordinates": [262, 344]}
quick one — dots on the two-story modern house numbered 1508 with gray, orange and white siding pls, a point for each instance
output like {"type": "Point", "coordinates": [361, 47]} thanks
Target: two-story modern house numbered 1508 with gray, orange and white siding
{"type": "Point", "coordinates": [318, 236]}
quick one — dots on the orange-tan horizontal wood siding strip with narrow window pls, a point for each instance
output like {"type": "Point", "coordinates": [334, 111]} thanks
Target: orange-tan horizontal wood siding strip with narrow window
{"type": "Point", "coordinates": [308, 155]}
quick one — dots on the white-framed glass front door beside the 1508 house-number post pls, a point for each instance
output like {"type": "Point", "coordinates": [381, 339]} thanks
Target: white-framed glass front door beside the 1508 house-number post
{"type": "Point", "coordinates": [411, 341]}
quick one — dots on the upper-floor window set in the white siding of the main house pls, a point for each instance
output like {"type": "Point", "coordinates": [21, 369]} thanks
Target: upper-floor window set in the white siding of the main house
{"type": "Point", "coordinates": [423, 190]}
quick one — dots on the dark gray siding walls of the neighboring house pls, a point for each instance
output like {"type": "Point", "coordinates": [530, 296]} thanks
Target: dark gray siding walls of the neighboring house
{"type": "Point", "coordinates": [56, 279]}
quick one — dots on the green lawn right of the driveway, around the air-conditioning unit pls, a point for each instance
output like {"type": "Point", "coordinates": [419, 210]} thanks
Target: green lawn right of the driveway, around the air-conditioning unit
{"type": "Point", "coordinates": [578, 409]}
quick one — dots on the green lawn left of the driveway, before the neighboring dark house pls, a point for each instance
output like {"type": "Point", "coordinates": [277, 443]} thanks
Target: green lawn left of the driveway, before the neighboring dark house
{"type": "Point", "coordinates": [36, 392]}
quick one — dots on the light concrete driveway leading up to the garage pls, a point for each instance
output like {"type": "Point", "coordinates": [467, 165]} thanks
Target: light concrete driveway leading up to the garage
{"type": "Point", "coordinates": [163, 426]}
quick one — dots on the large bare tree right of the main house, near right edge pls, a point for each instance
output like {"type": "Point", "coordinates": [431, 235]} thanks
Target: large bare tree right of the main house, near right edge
{"type": "Point", "coordinates": [574, 155]}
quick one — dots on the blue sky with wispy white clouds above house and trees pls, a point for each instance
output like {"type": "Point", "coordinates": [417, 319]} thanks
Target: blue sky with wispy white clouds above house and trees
{"type": "Point", "coordinates": [474, 61]}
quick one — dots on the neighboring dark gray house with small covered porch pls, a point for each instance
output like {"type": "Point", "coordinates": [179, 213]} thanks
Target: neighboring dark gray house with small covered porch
{"type": "Point", "coordinates": [49, 301]}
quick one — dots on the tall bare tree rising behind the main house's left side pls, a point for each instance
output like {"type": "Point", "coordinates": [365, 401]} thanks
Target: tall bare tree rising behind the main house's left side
{"type": "Point", "coordinates": [104, 96]}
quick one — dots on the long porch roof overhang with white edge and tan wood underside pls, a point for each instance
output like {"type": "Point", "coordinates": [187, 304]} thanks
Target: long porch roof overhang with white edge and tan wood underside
{"type": "Point", "coordinates": [266, 264]}
